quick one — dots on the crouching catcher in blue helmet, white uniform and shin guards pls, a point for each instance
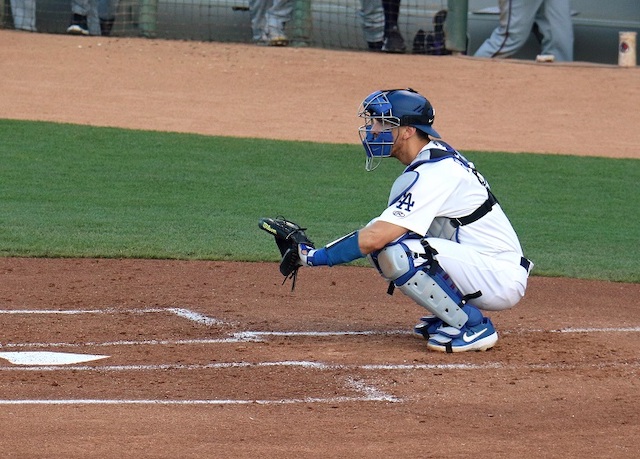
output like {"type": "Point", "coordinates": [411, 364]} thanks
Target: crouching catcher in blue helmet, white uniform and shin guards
{"type": "Point", "coordinates": [443, 239]}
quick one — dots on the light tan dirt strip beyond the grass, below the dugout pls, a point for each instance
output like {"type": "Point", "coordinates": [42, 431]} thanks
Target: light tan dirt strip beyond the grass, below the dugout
{"type": "Point", "coordinates": [288, 93]}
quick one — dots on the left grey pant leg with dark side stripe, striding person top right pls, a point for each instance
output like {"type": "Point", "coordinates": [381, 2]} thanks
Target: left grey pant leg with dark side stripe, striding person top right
{"type": "Point", "coordinates": [516, 21]}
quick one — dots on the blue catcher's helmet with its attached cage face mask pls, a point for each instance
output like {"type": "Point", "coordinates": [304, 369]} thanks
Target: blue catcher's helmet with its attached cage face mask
{"type": "Point", "coordinates": [392, 108]}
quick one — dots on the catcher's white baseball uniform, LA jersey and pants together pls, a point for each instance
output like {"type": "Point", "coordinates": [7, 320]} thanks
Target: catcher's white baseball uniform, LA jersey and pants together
{"type": "Point", "coordinates": [482, 255]}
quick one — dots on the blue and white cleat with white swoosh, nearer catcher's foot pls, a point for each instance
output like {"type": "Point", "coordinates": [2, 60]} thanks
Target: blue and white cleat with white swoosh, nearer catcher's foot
{"type": "Point", "coordinates": [478, 337]}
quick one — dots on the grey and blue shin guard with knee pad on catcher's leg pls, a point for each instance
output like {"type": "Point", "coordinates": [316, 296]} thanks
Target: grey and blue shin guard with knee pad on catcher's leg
{"type": "Point", "coordinates": [427, 283]}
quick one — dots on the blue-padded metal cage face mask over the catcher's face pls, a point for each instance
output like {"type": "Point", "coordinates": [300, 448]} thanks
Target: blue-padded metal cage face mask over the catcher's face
{"type": "Point", "coordinates": [376, 132]}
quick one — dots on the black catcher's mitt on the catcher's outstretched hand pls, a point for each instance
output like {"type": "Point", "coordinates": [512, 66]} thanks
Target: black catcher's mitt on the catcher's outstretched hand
{"type": "Point", "coordinates": [287, 235]}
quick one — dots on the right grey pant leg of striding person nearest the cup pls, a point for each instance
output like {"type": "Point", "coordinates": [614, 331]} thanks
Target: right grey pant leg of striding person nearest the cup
{"type": "Point", "coordinates": [555, 25]}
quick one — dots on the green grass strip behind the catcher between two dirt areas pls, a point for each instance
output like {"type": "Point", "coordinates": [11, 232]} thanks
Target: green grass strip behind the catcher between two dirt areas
{"type": "Point", "coordinates": [78, 191]}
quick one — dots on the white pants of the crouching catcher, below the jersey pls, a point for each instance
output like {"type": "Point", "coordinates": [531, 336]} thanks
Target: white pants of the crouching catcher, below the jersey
{"type": "Point", "coordinates": [501, 280]}
